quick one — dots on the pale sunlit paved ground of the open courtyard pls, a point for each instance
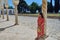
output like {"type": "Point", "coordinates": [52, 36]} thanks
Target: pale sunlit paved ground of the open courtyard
{"type": "Point", "coordinates": [26, 30]}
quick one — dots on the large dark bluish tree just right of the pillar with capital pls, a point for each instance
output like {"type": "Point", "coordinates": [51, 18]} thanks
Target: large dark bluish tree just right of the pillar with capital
{"type": "Point", "coordinates": [22, 6]}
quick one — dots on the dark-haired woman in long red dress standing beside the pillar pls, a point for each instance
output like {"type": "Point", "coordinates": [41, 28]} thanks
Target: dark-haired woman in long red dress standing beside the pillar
{"type": "Point", "coordinates": [40, 28]}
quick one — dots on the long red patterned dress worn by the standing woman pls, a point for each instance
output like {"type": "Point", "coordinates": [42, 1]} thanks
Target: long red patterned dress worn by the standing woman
{"type": "Point", "coordinates": [40, 28]}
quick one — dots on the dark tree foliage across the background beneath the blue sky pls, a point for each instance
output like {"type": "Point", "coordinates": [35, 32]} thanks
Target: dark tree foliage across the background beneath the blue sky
{"type": "Point", "coordinates": [23, 7]}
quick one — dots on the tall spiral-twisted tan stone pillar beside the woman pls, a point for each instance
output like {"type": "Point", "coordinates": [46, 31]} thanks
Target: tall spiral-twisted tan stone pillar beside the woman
{"type": "Point", "coordinates": [44, 11]}
